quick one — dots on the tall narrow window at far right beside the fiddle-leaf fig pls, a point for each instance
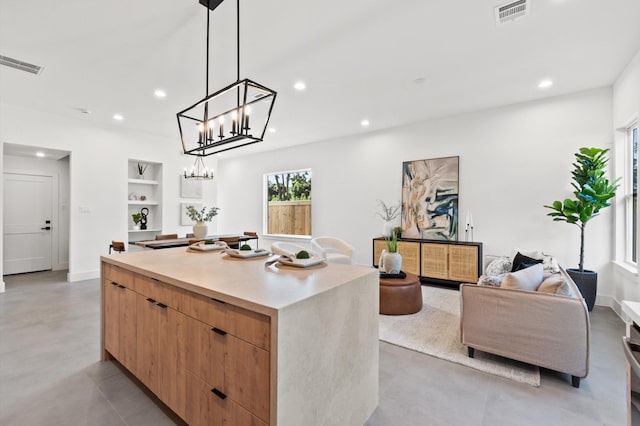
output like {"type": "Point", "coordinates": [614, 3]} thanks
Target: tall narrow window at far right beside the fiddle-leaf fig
{"type": "Point", "coordinates": [631, 186]}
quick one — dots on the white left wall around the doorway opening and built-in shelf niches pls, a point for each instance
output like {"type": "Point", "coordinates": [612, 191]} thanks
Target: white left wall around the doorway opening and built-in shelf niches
{"type": "Point", "coordinates": [98, 176]}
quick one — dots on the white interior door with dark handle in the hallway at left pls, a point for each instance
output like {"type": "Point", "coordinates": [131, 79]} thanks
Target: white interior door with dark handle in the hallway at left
{"type": "Point", "coordinates": [27, 223]}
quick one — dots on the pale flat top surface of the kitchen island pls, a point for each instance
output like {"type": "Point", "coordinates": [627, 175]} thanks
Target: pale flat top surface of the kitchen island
{"type": "Point", "coordinates": [237, 280]}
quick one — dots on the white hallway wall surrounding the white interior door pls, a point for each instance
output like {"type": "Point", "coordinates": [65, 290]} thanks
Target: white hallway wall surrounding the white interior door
{"type": "Point", "coordinates": [60, 220]}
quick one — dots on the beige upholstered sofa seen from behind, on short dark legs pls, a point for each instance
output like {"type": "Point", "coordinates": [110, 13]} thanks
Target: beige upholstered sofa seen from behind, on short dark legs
{"type": "Point", "coordinates": [547, 330]}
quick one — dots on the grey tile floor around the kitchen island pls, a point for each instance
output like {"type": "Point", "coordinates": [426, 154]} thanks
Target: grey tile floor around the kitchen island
{"type": "Point", "coordinates": [50, 373]}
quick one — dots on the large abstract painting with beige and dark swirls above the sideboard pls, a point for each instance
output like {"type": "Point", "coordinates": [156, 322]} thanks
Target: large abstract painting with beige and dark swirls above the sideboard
{"type": "Point", "coordinates": [430, 199]}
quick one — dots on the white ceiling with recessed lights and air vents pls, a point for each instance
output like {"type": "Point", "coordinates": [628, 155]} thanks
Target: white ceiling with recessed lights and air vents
{"type": "Point", "coordinates": [359, 58]}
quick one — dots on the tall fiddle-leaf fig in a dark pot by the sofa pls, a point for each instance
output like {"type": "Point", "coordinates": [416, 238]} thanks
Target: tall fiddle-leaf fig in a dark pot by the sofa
{"type": "Point", "coordinates": [593, 192]}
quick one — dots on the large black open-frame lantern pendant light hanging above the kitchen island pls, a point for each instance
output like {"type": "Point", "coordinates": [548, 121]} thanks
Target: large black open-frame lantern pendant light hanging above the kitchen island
{"type": "Point", "coordinates": [234, 116]}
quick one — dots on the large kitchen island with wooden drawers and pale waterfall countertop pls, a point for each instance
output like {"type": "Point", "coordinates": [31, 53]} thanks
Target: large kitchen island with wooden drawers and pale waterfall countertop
{"type": "Point", "coordinates": [221, 339]}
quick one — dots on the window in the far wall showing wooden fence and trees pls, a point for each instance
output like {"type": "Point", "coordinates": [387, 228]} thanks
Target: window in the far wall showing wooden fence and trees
{"type": "Point", "coordinates": [288, 203]}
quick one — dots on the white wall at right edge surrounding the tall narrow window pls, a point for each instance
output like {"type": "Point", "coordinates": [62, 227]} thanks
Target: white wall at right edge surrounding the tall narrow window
{"type": "Point", "coordinates": [626, 107]}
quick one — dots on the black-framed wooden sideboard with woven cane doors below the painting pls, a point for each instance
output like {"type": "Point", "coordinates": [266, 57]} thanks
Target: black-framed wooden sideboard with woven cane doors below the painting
{"type": "Point", "coordinates": [439, 261]}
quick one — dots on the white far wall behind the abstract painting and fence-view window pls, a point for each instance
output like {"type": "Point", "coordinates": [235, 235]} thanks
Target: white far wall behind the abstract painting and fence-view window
{"type": "Point", "coordinates": [513, 160]}
